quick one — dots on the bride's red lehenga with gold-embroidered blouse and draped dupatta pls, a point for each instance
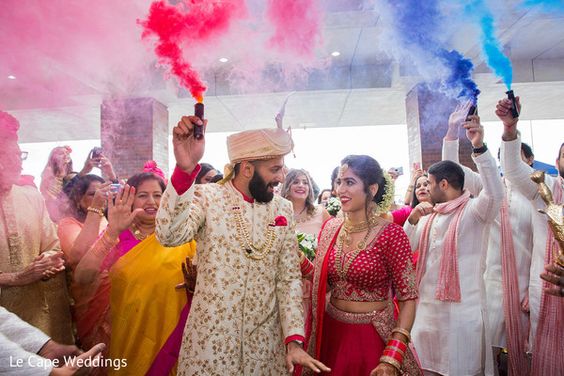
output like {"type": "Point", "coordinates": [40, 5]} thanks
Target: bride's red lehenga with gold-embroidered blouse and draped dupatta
{"type": "Point", "coordinates": [352, 343]}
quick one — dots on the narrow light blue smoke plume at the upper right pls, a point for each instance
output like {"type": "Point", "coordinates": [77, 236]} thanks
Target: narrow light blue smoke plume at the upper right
{"type": "Point", "coordinates": [491, 47]}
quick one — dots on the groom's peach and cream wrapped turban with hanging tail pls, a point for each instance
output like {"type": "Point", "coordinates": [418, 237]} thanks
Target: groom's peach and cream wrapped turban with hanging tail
{"type": "Point", "coordinates": [258, 144]}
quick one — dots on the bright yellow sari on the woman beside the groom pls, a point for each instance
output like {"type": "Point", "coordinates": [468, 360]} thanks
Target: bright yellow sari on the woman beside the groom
{"type": "Point", "coordinates": [145, 306]}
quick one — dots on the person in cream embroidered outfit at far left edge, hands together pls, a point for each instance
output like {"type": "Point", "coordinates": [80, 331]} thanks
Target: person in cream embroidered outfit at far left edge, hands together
{"type": "Point", "coordinates": [31, 283]}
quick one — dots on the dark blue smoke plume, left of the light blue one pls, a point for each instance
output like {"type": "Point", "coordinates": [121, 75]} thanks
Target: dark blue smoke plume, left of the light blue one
{"type": "Point", "coordinates": [418, 26]}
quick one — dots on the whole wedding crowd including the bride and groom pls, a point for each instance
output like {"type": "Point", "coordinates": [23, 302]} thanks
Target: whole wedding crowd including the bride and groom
{"type": "Point", "coordinates": [460, 279]}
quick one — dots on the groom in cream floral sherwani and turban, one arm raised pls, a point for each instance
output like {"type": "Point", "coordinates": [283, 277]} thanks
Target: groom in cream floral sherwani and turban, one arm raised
{"type": "Point", "coordinates": [248, 299]}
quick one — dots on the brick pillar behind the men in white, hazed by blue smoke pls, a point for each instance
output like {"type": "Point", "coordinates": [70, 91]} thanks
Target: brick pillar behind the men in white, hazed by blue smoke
{"type": "Point", "coordinates": [427, 115]}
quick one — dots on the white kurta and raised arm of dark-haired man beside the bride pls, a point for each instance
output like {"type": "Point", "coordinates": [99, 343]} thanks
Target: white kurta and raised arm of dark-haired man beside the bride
{"type": "Point", "coordinates": [449, 336]}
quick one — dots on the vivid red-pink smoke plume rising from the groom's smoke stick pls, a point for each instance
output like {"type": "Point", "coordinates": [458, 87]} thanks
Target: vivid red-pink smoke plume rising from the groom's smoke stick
{"type": "Point", "coordinates": [184, 28]}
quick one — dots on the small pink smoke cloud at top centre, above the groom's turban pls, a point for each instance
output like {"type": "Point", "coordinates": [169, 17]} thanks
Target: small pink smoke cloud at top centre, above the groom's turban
{"type": "Point", "coordinates": [296, 25]}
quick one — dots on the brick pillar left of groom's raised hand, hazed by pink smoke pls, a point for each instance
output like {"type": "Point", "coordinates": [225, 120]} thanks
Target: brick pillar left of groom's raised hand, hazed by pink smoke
{"type": "Point", "coordinates": [134, 130]}
